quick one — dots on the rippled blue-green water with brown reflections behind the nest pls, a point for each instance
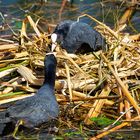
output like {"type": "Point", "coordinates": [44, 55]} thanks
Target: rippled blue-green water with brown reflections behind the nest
{"type": "Point", "coordinates": [15, 11]}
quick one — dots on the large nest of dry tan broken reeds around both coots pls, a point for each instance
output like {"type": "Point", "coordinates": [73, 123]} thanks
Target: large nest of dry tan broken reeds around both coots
{"type": "Point", "coordinates": [91, 85]}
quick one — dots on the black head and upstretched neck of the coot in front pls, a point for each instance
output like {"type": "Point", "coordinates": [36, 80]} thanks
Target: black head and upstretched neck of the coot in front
{"type": "Point", "coordinates": [50, 63]}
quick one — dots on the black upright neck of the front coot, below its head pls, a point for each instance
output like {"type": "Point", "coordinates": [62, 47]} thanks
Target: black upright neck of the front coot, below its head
{"type": "Point", "coordinates": [50, 75]}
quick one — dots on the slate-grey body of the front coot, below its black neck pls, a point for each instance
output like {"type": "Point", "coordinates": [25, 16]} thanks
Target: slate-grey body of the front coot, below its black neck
{"type": "Point", "coordinates": [36, 109]}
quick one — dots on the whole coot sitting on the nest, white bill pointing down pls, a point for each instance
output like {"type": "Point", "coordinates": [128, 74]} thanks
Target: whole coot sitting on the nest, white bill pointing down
{"type": "Point", "coordinates": [77, 37]}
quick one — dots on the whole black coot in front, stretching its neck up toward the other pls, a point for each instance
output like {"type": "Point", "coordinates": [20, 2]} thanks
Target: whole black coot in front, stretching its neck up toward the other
{"type": "Point", "coordinates": [40, 108]}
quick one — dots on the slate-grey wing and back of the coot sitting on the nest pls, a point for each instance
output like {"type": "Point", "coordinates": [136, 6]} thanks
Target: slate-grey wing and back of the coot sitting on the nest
{"type": "Point", "coordinates": [79, 33]}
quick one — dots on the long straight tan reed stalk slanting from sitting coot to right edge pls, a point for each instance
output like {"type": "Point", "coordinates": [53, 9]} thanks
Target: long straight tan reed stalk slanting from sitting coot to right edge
{"type": "Point", "coordinates": [124, 89]}
